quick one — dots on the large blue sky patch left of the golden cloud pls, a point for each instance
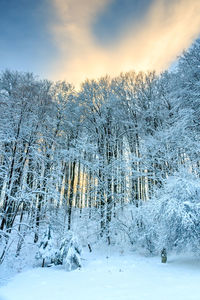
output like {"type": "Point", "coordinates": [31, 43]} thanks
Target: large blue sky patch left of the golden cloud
{"type": "Point", "coordinates": [25, 41]}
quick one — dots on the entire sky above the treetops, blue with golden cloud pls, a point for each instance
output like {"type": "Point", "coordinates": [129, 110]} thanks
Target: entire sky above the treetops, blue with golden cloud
{"type": "Point", "coordinates": [77, 39]}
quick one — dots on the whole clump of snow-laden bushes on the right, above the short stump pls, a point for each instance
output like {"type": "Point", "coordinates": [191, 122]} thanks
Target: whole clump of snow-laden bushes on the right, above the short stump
{"type": "Point", "coordinates": [170, 220]}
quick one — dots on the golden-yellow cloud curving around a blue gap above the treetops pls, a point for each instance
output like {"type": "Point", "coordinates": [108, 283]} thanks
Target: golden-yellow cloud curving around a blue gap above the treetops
{"type": "Point", "coordinates": [168, 28]}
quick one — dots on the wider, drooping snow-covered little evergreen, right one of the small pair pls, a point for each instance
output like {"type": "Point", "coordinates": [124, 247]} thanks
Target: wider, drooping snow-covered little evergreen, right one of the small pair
{"type": "Point", "coordinates": [69, 253]}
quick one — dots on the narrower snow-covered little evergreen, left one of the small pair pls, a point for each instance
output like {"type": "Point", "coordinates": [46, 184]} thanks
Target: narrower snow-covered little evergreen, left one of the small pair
{"type": "Point", "coordinates": [46, 250]}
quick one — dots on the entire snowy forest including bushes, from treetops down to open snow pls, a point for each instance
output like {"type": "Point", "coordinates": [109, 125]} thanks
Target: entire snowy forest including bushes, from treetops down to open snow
{"type": "Point", "coordinates": [115, 161]}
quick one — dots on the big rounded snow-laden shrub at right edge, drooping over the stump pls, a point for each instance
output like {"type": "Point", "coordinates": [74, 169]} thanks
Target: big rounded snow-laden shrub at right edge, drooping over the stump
{"type": "Point", "coordinates": [176, 213]}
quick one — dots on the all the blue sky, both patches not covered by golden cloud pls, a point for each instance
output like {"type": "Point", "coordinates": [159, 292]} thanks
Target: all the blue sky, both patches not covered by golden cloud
{"type": "Point", "coordinates": [27, 44]}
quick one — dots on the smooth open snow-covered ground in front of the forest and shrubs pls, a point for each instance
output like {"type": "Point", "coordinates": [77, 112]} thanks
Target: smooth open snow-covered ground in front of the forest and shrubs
{"type": "Point", "coordinates": [110, 275]}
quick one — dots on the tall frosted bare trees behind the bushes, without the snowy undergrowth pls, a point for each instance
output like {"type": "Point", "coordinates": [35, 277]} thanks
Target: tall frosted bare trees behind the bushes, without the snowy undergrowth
{"type": "Point", "coordinates": [110, 144]}
